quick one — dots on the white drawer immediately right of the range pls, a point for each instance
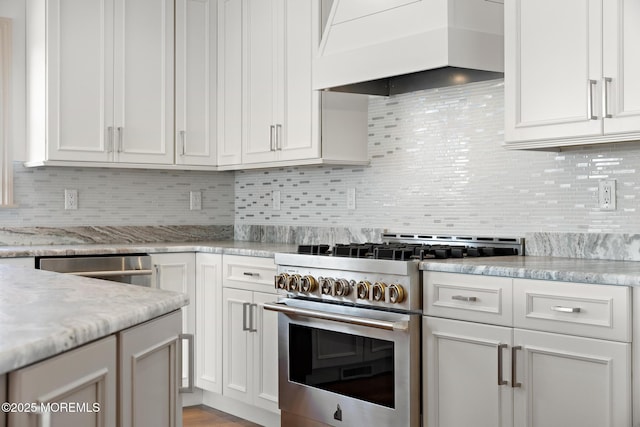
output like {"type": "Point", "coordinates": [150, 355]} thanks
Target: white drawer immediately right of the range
{"type": "Point", "coordinates": [470, 297]}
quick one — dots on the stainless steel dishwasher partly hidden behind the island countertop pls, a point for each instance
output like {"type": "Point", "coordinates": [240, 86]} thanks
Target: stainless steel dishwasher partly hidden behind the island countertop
{"type": "Point", "coordinates": [134, 269]}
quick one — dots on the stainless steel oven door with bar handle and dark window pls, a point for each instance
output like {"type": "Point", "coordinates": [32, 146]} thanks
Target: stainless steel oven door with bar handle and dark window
{"type": "Point", "coordinates": [342, 365]}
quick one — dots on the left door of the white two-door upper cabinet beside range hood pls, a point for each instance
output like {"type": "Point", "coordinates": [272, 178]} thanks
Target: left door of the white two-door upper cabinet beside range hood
{"type": "Point", "coordinates": [261, 70]}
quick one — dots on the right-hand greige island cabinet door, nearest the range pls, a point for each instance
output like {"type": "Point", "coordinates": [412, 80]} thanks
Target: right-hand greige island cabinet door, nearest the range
{"type": "Point", "coordinates": [149, 373]}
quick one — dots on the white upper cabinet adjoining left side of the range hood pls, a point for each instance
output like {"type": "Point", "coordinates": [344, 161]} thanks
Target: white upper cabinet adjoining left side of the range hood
{"type": "Point", "coordinates": [268, 113]}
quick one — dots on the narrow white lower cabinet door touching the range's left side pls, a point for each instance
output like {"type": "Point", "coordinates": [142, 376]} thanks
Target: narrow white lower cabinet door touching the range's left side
{"type": "Point", "coordinates": [265, 353]}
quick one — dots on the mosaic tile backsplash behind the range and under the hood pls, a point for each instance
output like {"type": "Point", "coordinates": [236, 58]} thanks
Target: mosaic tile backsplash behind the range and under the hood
{"type": "Point", "coordinates": [438, 166]}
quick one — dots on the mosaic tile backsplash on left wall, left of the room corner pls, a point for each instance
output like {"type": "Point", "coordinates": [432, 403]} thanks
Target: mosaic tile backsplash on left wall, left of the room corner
{"type": "Point", "coordinates": [114, 197]}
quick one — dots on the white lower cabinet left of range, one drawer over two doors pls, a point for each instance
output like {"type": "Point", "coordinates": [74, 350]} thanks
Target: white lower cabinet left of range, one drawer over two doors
{"type": "Point", "coordinates": [250, 337]}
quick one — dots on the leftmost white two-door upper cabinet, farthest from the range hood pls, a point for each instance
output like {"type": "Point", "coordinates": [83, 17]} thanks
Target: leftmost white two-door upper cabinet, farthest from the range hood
{"type": "Point", "coordinates": [100, 81]}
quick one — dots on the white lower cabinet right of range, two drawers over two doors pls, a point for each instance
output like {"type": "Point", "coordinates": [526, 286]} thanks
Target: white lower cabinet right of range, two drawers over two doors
{"type": "Point", "coordinates": [499, 375]}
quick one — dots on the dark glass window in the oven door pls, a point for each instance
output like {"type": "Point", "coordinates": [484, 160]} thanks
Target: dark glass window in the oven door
{"type": "Point", "coordinates": [351, 365]}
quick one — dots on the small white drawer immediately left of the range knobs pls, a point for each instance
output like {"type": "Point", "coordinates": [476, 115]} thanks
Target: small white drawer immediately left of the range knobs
{"type": "Point", "coordinates": [246, 272]}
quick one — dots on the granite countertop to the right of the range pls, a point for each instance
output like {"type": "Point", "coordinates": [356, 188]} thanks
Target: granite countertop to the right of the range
{"type": "Point", "coordinates": [579, 270]}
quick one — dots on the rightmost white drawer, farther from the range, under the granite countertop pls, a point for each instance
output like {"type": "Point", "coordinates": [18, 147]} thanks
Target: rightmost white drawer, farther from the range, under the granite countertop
{"type": "Point", "coordinates": [598, 311]}
